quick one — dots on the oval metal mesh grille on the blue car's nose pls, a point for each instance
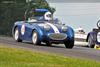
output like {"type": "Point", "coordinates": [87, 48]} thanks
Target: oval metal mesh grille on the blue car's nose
{"type": "Point", "coordinates": [57, 36]}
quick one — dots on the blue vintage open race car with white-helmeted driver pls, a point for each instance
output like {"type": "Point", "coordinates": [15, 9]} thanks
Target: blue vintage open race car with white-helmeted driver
{"type": "Point", "coordinates": [43, 28]}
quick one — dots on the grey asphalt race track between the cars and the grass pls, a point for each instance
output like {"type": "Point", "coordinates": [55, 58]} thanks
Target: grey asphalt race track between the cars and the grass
{"type": "Point", "coordinates": [77, 51]}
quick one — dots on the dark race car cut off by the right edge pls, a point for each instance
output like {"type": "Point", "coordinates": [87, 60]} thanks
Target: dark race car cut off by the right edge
{"type": "Point", "coordinates": [93, 37]}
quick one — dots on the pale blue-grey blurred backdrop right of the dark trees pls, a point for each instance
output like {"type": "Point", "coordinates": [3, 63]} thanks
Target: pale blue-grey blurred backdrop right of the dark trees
{"type": "Point", "coordinates": [84, 15]}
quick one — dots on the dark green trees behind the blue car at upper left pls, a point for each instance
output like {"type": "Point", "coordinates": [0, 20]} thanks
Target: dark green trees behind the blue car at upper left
{"type": "Point", "coordinates": [13, 10]}
